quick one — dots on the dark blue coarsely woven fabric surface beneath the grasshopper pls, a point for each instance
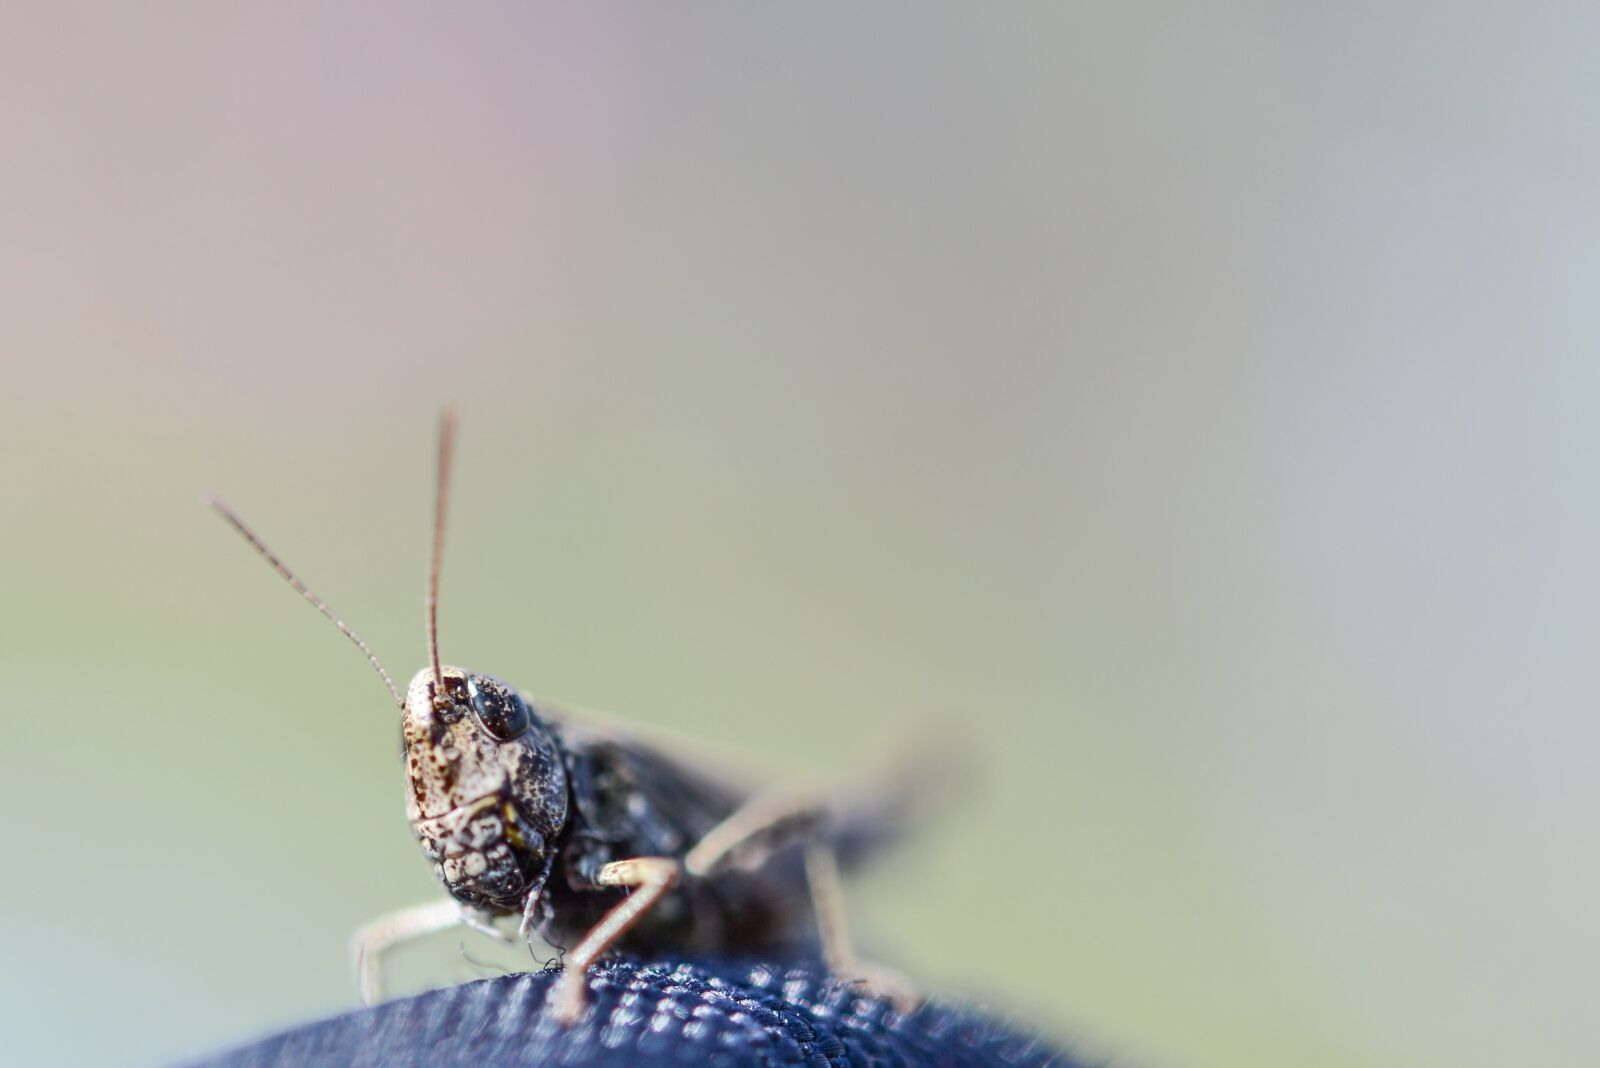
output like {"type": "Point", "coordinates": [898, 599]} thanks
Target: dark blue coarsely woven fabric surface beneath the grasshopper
{"type": "Point", "coordinates": [764, 1016]}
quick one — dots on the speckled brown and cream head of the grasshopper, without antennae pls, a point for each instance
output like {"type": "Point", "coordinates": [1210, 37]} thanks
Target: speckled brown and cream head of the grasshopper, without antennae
{"type": "Point", "coordinates": [486, 787]}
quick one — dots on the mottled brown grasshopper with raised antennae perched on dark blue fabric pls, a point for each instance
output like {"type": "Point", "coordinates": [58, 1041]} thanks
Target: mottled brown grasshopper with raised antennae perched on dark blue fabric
{"type": "Point", "coordinates": [590, 837]}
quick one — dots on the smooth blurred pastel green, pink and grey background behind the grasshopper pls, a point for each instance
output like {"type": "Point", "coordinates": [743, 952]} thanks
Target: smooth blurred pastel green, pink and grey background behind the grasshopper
{"type": "Point", "coordinates": [1188, 410]}
